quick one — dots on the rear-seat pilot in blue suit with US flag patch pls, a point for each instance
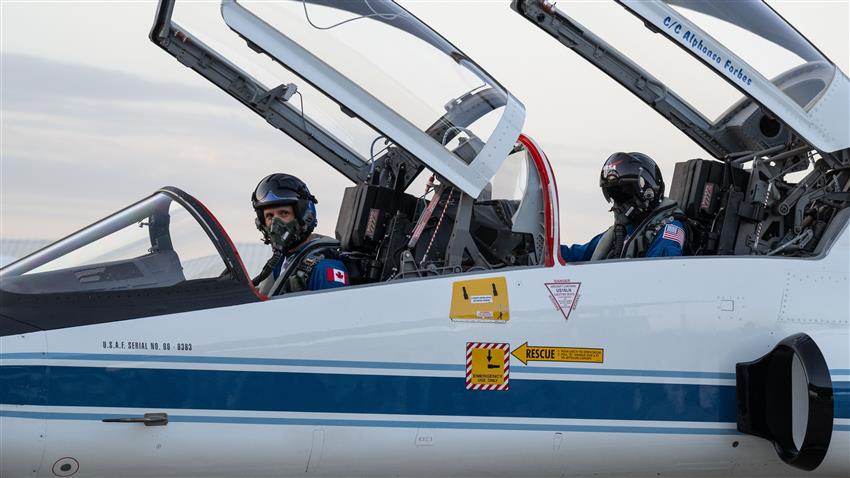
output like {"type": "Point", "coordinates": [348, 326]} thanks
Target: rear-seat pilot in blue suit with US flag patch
{"type": "Point", "coordinates": [645, 223]}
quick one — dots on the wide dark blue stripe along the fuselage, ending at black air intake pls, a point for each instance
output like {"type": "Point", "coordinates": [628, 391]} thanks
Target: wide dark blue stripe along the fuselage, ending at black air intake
{"type": "Point", "coordinates": [364, 394]}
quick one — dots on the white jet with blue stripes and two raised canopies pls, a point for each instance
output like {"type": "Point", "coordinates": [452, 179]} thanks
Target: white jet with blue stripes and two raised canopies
{"type": "Point", "coordinates": [465, 346]}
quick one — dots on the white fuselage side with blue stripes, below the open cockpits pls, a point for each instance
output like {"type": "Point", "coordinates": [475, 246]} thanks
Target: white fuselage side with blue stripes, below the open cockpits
{"type": "Point", "coordinates": [370, 380]}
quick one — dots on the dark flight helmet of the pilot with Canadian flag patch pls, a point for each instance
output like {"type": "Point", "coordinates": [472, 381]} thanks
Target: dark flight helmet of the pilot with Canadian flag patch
{"type": "Point", "coordinates": [280, 190]}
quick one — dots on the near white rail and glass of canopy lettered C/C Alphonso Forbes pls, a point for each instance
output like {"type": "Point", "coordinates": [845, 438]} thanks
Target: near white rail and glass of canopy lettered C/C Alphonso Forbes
{"type": "Point", "coordinates": [786, 74]}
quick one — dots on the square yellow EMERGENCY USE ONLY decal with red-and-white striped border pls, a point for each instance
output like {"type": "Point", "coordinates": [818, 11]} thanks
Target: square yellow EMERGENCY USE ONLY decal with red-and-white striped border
{"type": "Point", "coordinates": [487, 366]}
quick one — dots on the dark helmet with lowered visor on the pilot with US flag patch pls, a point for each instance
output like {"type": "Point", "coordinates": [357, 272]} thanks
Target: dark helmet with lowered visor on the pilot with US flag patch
{"type": "Point", "coordinates": [632, 182]}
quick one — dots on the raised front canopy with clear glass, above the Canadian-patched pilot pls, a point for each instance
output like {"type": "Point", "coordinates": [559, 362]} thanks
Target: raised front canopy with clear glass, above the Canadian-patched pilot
{"type": "Point", "coordinates": [395, 83]}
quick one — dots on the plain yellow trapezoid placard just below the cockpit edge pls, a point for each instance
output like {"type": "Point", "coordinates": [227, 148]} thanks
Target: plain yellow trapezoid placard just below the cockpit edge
{"type": "Point", "coordinates": [480, 299]}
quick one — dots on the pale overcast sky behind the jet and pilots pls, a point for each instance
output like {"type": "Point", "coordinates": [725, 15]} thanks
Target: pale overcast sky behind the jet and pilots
{"type": "Point", "coordinates": [95, 116]}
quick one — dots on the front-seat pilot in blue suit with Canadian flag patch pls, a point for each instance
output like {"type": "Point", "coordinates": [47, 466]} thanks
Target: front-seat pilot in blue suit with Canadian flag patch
{"type": "Point", "coordinates": [301, 260]}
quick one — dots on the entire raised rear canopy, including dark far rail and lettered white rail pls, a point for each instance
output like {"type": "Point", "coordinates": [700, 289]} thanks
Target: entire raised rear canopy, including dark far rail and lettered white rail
{"type": "Point", "coordinates": [788, 86]}
